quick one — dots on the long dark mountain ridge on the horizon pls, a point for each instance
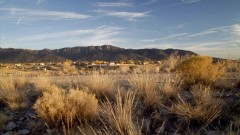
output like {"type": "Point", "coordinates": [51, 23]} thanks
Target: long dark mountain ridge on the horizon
{"type": "Point", "coordinates": [89, 53]}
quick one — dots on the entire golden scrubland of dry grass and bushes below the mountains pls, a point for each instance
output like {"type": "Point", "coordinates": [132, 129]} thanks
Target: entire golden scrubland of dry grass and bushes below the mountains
{"type": "Point", "coordinates": [195, 95]}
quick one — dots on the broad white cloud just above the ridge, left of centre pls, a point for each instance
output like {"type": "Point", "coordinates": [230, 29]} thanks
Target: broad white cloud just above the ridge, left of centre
{"type": "Point", "coordinates": [105, 34]}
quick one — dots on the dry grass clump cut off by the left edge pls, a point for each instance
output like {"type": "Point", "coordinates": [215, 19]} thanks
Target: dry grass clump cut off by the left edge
{"type": "Point", "coordinates": [13, 92]}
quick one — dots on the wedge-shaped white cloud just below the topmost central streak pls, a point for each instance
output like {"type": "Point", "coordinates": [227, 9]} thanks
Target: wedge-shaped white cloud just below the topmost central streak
{"type": "Point", "coordinates": [130, 16]}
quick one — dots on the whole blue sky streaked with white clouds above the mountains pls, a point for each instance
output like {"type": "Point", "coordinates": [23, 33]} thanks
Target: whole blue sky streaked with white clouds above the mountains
{"type": "Point", "coordinates": [207, 27]}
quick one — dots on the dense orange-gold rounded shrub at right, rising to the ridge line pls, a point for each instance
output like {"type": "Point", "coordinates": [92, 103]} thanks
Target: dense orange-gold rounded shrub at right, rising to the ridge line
{"type": "Point", "coordinates": [200, 69]}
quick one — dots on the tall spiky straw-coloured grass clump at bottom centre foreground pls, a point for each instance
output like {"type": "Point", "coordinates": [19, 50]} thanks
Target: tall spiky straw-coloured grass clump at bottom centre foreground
{"type": "Point", "coordinates": [118, 117]}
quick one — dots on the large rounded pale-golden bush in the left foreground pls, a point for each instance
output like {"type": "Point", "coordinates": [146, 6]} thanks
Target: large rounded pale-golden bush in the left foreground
{"type": "Point", "coordinates": [58, 107]}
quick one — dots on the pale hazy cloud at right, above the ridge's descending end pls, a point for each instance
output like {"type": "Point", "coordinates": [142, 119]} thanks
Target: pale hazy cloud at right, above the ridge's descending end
{"type": "Point", "coordinates": [223, 47]}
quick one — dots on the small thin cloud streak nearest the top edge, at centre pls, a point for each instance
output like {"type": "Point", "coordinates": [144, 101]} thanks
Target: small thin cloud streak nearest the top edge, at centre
{"type": "Point", "coordinates": [113, 4]}
